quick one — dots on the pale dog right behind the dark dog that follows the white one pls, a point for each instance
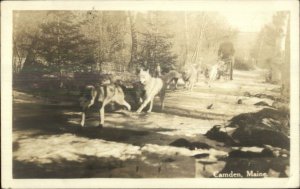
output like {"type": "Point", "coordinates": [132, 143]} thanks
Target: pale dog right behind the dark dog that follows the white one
{"type": "Point", "coordinates": [190, 76]}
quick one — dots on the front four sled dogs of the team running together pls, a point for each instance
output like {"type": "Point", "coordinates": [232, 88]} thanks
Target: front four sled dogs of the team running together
{"type": "Point", "coordinates": [112, 92]}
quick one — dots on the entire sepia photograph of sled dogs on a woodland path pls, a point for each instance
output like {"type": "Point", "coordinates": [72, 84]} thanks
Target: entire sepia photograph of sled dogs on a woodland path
{"type": "Point", "coordinates": [151, 93]}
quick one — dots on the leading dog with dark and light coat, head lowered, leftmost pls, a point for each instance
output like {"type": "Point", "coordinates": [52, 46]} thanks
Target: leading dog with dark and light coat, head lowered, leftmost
{"type": "Point", "coordinates": [103, 94]}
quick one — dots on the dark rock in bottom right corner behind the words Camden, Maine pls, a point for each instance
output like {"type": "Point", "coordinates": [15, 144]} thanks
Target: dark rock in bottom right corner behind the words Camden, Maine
{"type": "Point", "coordinates": [256, 162]}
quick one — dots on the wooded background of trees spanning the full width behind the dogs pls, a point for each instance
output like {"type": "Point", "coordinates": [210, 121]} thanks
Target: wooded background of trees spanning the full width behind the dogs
{"type": "Point", "coordinates": [102, 41]}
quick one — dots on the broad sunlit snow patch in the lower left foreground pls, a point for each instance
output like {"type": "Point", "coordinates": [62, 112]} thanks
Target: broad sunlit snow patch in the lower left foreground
{"type": "Point", "coordinates": [72, 148]}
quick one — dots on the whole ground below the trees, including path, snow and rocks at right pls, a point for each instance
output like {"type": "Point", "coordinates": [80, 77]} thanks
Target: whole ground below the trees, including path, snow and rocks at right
{"type": "Point", "coordinates": [236, 128]}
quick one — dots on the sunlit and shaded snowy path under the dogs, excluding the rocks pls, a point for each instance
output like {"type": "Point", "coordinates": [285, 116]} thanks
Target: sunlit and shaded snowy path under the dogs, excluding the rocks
{"type": "Point", "coordinates": [48, 142]}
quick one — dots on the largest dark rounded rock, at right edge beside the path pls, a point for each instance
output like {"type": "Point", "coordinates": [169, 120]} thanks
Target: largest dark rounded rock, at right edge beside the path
{"type": "Point", "coordinates": [266, 127]}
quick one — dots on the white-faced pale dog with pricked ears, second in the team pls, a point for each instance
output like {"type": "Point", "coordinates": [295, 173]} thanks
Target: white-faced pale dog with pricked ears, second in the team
{"type": "Point", "coordinates": [152, 87]}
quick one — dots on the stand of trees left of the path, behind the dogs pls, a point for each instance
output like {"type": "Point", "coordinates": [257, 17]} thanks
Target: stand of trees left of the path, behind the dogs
{"type": "Point", "coordinates": [82, 40]}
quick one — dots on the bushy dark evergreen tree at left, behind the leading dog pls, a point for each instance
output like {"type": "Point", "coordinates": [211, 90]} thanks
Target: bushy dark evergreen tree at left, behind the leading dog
{"type": "Point", "coordinates": [62, 45]}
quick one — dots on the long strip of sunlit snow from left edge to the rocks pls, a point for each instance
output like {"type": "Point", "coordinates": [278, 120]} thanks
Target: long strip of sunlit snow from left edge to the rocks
{"type": "Point", "coordinates": [70, 147]}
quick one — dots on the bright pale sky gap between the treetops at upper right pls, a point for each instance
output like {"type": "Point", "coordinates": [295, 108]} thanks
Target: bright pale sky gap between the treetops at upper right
{"type": "Point", "coordinates": [248, 21]}
